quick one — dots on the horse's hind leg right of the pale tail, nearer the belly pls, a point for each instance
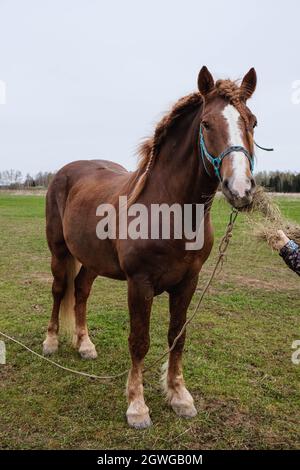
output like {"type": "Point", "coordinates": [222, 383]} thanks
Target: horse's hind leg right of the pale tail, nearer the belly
{"type": "Point", "coordinates": [83, 285]}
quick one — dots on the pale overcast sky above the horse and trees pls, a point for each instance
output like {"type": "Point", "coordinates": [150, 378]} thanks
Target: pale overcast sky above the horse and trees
{"type": "Point", "coordinates": [90, 78]}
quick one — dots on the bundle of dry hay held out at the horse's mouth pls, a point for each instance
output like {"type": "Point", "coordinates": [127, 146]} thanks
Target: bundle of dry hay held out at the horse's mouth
{"type": "Point", "coordinates": [273, 220]}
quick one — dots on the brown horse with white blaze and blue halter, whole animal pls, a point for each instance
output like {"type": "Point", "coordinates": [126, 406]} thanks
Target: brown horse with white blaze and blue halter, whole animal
{"type": "Point", "coordinates": [172, 169]}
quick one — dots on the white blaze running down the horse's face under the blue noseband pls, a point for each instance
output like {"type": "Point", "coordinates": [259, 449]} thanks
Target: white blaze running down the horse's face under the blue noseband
{"type": "Point", "coordinates": [240, 181]}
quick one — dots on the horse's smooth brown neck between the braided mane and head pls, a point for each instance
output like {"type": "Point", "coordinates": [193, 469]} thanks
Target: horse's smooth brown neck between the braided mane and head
{"type": "Point", "coordinates": [178, 175]}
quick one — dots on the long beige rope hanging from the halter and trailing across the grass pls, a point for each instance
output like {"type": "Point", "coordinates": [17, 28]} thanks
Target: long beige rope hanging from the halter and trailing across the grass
{"type": "Point", "coordinates": [225, 240]}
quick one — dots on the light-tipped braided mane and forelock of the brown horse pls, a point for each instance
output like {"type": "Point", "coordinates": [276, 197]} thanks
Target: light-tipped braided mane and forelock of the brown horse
{"type": "Point", "coordinates": [148, 151]}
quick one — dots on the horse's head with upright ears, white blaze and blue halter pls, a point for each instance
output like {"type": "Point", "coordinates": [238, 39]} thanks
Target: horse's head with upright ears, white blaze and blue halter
{"type": "Point", "coordinates": [226, 134]}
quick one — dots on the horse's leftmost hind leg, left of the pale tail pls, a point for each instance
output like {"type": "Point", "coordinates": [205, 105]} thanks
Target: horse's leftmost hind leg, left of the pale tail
{"type": "Point", "coordinates": [59, 285]}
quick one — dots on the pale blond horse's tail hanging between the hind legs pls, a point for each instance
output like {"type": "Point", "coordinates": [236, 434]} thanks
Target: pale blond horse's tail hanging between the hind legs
{"type": "Point", "coordinates": [67, 306]}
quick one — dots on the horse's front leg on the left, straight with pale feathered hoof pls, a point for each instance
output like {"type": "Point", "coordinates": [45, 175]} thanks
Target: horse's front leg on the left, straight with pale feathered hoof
{"type": "Point", "coordinates": [140, 297]}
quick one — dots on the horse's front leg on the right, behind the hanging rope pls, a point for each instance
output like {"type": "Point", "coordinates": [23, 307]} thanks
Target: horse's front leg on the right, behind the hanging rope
{"type": "Point", "coordinates": [178, 396]}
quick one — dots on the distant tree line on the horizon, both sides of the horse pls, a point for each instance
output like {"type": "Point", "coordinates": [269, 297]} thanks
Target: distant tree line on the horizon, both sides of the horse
{"type": "Point", "coordinates": [276, 181]}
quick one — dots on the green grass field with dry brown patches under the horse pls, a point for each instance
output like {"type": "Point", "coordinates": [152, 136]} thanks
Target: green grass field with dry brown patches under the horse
{"type": "Point", "coordinates": [237, 361]}
